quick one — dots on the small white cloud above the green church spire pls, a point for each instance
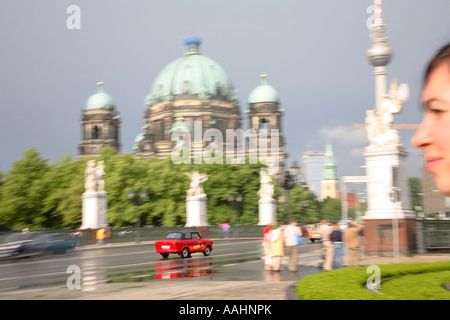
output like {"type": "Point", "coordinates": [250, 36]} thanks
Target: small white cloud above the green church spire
{"type": "Point", "coordinates": [345, 135]}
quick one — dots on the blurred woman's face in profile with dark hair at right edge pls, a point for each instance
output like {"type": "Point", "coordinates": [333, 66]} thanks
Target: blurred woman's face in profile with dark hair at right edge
{"type": "Point", "coordinates": [433, 135]}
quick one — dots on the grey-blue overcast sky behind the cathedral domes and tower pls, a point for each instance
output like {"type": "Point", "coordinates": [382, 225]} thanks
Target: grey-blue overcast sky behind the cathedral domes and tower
{"type": "Point", "coordinates": [312, 50]}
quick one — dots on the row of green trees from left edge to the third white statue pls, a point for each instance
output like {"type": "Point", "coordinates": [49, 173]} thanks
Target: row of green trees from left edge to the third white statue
{"type": "Point", "coordinates": [36, 194]}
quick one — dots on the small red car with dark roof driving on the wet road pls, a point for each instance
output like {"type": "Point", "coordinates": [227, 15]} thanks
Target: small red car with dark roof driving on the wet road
{"type": "Point", "coordinates": [183, 243]}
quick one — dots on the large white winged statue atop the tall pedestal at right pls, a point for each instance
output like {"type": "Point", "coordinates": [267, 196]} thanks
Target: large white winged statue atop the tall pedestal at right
{"type": "Point", "coordinates": [379, 121]}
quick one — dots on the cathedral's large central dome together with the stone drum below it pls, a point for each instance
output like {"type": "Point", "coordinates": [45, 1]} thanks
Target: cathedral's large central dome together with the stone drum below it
{"type": "Point", "coordinates": [190, 92]}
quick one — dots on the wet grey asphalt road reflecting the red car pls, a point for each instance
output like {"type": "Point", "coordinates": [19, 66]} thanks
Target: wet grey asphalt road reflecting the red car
{"type": "Point", "coordinates": [231, 260]}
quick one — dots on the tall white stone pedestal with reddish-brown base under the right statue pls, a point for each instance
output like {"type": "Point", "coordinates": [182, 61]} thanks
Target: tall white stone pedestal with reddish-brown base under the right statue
{"type": "Point", "coordinates": [388, 199]}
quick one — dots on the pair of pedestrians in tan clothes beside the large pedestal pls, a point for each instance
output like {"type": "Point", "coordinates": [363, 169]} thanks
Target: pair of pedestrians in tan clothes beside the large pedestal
{"type": "Point", "coordinates": [334, 240]}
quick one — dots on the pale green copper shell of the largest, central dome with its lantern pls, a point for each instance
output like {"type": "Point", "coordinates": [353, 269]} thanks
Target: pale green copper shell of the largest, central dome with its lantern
{"type": "Point", "coordinates": [191, 76]}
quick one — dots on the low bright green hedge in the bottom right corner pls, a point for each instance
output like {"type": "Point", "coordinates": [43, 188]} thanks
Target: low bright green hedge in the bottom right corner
{"type": "Point", "coordinates": [404, 281]}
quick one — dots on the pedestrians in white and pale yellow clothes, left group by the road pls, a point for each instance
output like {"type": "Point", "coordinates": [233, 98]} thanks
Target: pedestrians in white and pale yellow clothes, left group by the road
{"type": "Point", "coordinates": [277, 238]}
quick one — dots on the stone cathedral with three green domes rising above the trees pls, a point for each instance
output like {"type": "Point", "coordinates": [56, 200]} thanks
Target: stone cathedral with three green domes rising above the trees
{"type": "Point", "coordinates": [191, 88]}
